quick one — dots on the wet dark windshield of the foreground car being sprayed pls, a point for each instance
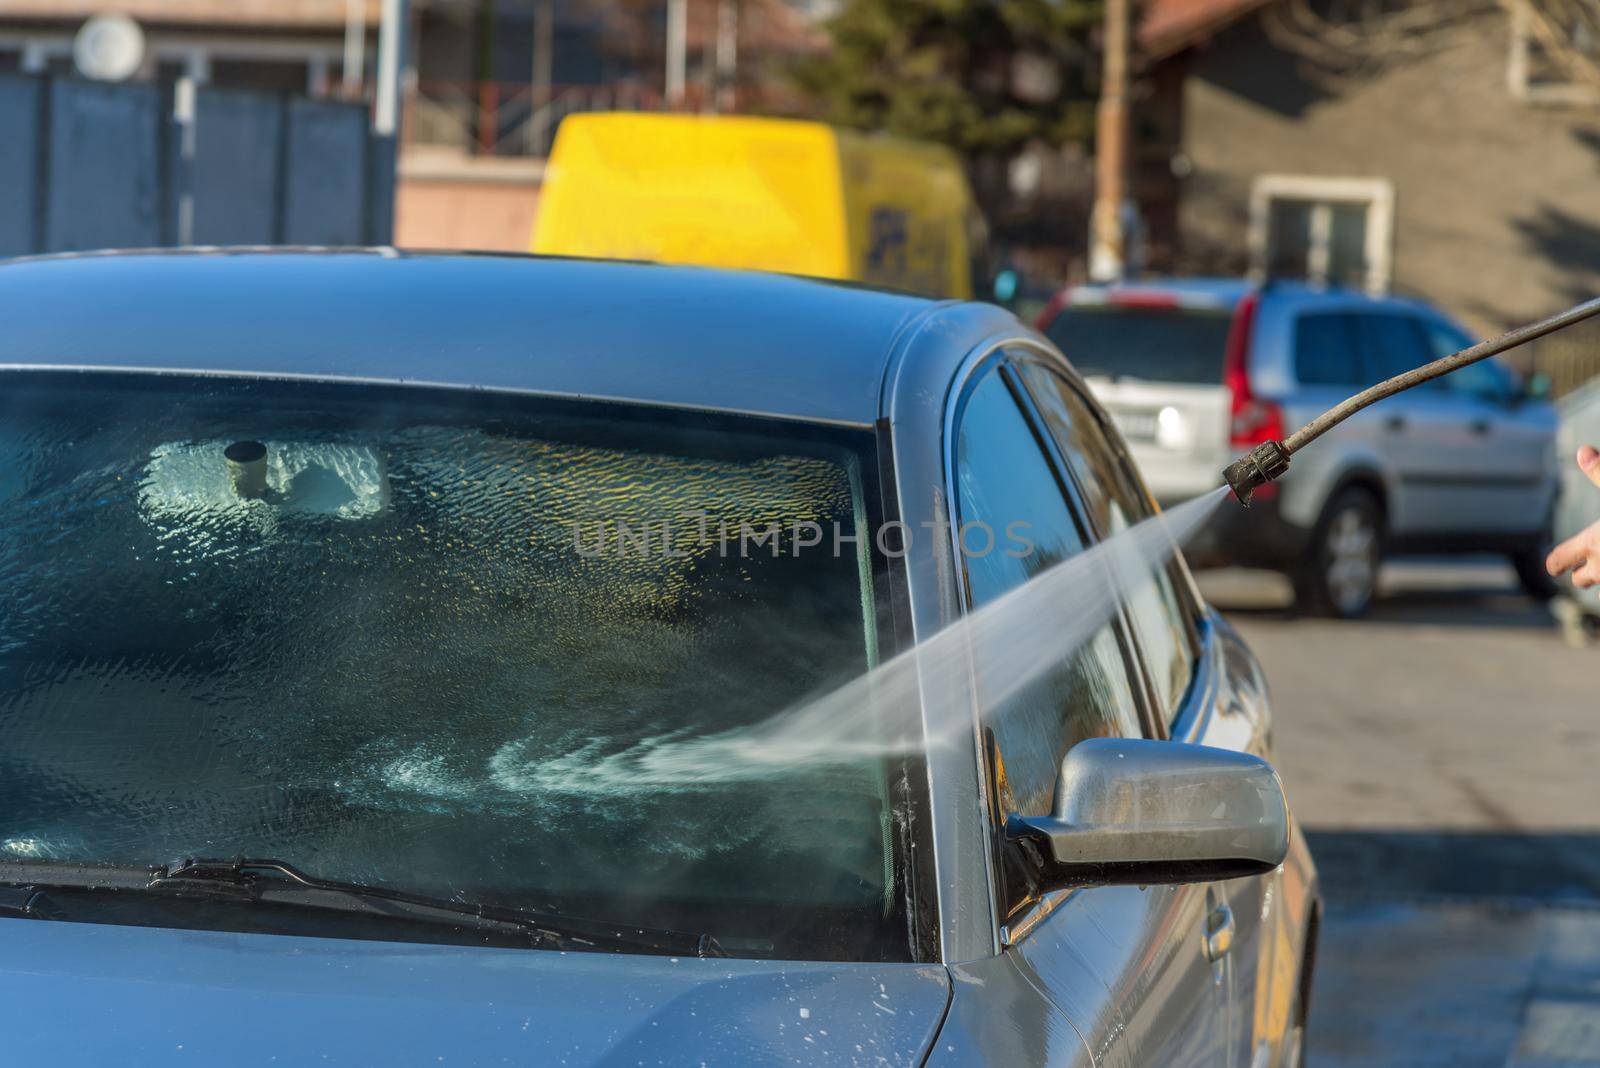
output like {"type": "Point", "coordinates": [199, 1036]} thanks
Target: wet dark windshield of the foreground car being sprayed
{"type": "Point", "coordinates": [446, 642]}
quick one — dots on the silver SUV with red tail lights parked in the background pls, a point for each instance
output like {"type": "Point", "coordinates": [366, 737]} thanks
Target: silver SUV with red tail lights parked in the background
{"type": "Point", "coordinates": [1198, 372]}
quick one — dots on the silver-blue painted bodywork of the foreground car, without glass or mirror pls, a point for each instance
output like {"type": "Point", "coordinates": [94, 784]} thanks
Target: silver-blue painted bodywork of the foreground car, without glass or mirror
{"type": "Point", "coordinates": [1118, 971]}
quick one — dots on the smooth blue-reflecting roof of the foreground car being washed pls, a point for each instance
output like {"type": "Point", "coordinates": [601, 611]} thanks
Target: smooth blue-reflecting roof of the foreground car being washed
{"type": "Point", "coordinates": [684, 337]}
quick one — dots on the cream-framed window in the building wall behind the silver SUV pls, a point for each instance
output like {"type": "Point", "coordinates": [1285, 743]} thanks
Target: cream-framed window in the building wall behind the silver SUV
{"type": "Point", "coordinates": [1329, 231]}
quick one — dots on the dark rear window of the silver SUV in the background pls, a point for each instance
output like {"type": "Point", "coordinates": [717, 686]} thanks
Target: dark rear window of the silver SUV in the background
{"type": "Point", "coordinates": [1156, 345]}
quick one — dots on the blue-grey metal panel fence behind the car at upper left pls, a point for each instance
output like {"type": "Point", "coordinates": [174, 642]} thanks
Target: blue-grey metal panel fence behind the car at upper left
{"type": "Point", "coordinates": [89, 165]}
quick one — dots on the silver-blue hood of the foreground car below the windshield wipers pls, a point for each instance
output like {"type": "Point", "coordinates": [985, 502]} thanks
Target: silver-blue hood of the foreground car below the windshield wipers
{"type": "Point", "coordinates": [146, 995]}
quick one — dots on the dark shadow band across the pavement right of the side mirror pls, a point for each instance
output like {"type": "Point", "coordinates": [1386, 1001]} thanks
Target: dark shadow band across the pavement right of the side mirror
{"type": "Point", "coordinates": [1546, 869]}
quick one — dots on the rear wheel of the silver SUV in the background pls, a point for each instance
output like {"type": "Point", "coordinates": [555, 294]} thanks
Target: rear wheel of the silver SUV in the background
{"type": "Point", "coordinates": [1338, 575]}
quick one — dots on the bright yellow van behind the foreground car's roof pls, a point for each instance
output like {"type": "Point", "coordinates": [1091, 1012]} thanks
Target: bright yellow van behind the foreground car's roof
{"type": "Point", "coordinates": [764, 194]}
